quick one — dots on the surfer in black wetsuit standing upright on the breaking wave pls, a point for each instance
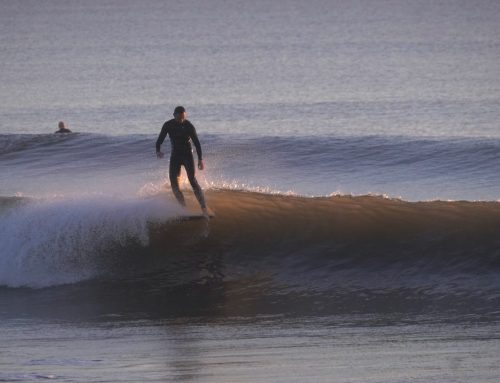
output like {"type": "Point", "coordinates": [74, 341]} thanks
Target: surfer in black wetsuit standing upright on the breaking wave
{"type": "Point", "coordinates": [181, 132]}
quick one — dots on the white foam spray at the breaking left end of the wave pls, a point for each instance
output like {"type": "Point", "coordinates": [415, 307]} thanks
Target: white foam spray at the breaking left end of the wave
{"type": "Point", "coordinates": [60, 240]}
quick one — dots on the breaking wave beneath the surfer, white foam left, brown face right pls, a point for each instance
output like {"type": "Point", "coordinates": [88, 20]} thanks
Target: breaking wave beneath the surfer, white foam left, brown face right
{"type": "Point", "coordinates": [310, 244]}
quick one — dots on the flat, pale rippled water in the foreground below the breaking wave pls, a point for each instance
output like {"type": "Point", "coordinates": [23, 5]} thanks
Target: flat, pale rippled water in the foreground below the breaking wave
{"type": "Point", "coordinates": [354, 348]}
